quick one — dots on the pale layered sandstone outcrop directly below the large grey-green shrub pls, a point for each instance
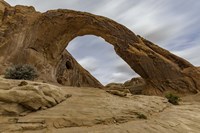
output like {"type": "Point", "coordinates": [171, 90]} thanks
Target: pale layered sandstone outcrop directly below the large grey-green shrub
{"type": "Point", "coordinates": [15, 99]}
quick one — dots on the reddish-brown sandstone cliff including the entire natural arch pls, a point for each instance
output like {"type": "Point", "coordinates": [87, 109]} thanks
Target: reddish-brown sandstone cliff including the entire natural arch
{"type": "Point", "coordinates": [40, 39]}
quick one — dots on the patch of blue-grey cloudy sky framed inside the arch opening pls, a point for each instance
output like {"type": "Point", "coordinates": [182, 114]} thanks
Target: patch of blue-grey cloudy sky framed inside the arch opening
{"type": "Point", "coordinates": [100, 59]}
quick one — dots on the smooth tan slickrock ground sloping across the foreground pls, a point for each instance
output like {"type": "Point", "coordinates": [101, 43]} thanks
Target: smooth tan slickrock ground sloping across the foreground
{"type": "Point", "coordinates": [92, 110]}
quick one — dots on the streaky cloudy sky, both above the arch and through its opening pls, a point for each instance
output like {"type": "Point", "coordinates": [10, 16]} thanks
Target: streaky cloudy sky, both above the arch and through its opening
{"type": "Point", "coordinates": [172, 24]}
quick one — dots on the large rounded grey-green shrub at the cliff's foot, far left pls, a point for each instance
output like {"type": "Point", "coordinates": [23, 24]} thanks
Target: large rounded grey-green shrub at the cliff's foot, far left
{"type": "Point", "coordinates": [26, 72]}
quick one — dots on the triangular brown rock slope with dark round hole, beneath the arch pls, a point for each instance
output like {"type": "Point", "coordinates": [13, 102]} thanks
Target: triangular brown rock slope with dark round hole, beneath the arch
{"type": "Point", "coordinates": [70, 73]}
